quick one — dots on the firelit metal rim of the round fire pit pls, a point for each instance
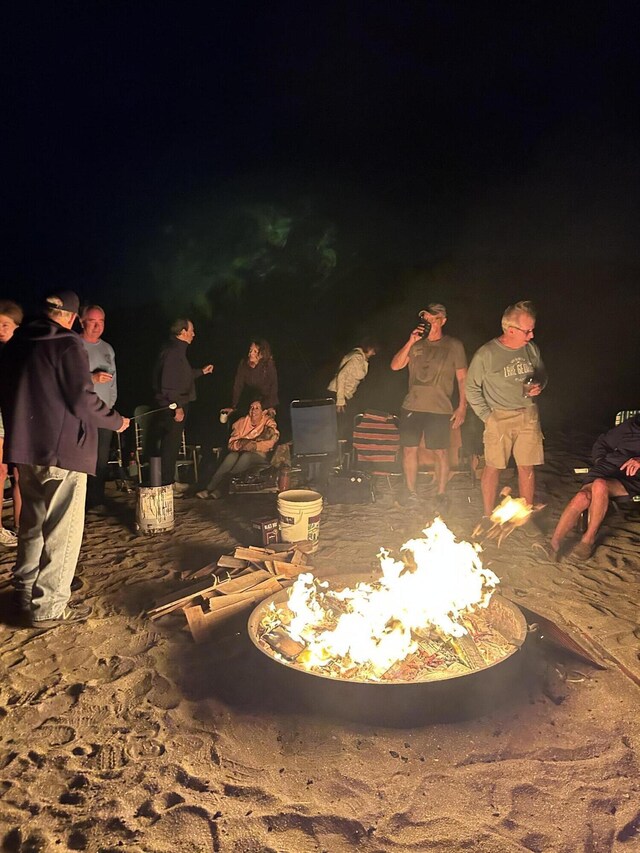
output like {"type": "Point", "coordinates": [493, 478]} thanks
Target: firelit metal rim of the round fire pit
{"type": "Point", "coordinates": [506, 618]}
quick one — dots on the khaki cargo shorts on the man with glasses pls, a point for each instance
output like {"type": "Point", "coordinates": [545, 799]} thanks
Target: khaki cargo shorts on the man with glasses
{"type": "Point", "coordinates": [514, 431]}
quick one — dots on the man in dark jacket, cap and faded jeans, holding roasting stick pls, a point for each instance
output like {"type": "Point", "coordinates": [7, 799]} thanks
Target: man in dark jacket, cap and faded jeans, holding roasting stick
{"type": "Point", "coordinates": [52, 416]}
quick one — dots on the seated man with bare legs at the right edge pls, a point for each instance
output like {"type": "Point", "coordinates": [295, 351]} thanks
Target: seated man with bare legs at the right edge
{"type": "Point", "coordinates": [615, 473]}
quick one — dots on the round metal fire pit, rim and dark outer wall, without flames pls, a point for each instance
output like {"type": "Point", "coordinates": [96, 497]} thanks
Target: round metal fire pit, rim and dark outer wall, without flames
{"type": "Point", "coordinates": [398, 702]}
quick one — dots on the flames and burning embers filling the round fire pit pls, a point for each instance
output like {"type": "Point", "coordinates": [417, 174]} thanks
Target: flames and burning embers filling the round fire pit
{"type": "Point", "coordinates": [429, 616]}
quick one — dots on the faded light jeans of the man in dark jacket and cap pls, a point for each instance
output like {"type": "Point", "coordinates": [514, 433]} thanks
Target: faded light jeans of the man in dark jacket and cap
{"type": "Point", "coordinates": [49, 539]}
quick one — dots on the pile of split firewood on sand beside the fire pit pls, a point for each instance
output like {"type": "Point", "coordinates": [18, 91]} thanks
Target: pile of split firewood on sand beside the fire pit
{"type": "Point", "coordinates": [235, 583]}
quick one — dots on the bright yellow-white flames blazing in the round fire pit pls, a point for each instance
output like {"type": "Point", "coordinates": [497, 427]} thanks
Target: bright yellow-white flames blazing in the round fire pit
{"type": "Point", "coordinates": [432, 592]}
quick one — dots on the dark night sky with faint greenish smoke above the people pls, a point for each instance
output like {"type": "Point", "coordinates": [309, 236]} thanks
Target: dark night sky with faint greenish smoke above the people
{"type": "Point", "coordinates": [312, 172]}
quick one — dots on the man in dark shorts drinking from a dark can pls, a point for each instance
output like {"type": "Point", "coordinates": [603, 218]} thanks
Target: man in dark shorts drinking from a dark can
{"type": "Point", "coordinates": [436, 362]}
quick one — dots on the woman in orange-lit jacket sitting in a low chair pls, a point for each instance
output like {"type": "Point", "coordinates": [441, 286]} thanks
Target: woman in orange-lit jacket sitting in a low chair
{"type": "Point", "coordinates": [252, 438]}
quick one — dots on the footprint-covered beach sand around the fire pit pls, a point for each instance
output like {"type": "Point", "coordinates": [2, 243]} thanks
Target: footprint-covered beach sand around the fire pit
{"type": "Point", "coordinates": [122, 734]}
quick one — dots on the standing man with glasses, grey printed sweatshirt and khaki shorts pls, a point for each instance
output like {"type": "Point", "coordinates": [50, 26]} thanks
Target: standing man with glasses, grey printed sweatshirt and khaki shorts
{"type": "Point", "coordinates": [505, 375]}
